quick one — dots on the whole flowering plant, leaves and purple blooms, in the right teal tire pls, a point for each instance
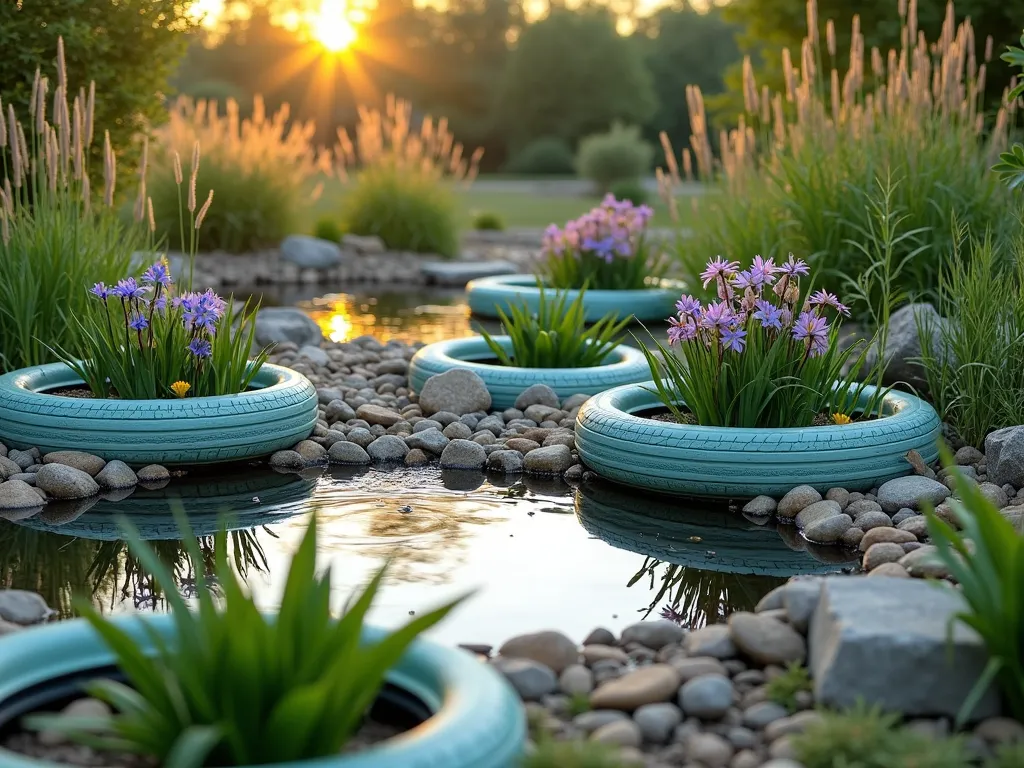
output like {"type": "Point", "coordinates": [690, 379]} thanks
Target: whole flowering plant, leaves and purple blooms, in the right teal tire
{"type": "Point", "coordinates": [765, 355]}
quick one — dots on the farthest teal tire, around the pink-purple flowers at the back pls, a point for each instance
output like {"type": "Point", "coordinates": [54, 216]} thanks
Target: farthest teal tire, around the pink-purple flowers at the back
{"type": "Point", "coordinates": [487, 295]}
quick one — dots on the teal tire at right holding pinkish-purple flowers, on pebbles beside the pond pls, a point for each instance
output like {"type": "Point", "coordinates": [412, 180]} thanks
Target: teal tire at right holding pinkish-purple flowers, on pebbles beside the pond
{"type": "Point", "coordinates": [743, 463]}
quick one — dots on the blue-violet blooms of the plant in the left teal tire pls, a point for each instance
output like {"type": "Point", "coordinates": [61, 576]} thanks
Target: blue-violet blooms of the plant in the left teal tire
{"type": "Point", "coordinates": [145, 300]}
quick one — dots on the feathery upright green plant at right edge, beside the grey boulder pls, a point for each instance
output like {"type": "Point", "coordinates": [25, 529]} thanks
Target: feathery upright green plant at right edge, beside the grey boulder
{"type": "Point", "coordinates": [974, 360]}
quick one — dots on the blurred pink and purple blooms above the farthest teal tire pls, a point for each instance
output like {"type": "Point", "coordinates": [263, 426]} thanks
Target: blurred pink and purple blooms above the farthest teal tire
{"type": "Point", "coordinates": [609, 232]}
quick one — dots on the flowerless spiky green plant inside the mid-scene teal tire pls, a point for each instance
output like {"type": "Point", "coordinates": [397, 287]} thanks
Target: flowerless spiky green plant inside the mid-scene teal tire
{"type": "Point", "coordinates": [558, 336]}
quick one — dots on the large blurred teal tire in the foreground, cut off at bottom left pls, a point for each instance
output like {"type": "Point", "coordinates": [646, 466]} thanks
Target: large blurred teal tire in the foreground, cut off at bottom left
{"type": "Point", "coordinates": [479, 721]}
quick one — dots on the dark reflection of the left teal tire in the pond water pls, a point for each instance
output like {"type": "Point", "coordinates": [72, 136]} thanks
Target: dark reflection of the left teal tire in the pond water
{"type": "Point", "coordinates": [260, 499]}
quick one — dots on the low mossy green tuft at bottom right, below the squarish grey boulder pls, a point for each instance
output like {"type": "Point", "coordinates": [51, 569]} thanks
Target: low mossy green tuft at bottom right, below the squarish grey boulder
{"type": "Point", "coordinates": [867, 738]}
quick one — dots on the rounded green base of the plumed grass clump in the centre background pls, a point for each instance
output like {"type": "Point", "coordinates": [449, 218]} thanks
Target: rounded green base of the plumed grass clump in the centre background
{"type": "Point", "coordinates": [409, 211]}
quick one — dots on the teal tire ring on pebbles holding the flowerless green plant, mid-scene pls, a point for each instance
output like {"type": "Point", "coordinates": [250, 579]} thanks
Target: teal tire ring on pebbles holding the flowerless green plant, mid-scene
{"type": "Point", "coordinates": [505, 383]}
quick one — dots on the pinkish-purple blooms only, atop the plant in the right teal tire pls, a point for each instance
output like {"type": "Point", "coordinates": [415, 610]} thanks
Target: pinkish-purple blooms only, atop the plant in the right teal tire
{"type": "Point", "coordinates": [743, 308]}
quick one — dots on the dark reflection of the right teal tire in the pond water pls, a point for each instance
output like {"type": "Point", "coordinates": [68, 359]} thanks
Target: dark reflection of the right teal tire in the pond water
{"type": "Point", "coordinates": [710, 539]}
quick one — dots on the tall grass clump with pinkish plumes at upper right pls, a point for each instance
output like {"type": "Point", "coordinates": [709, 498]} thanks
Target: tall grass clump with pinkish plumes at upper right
{"type": "Point", "coordinates": [796, 172]}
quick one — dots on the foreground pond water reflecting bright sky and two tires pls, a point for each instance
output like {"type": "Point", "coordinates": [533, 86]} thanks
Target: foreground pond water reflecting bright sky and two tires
{"type": "Point", "coordinates": [535, 556]}
